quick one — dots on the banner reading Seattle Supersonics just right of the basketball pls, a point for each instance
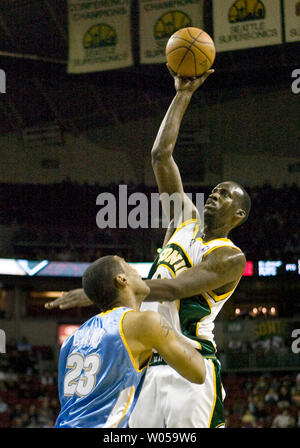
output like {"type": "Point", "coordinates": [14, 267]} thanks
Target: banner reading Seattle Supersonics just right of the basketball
{"type": "Point", "coordinates": [244, 24]}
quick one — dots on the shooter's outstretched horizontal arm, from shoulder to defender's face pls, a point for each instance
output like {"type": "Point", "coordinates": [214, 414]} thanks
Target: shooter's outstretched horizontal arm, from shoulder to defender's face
{"type": "Point", "coordinates": [222, 267]}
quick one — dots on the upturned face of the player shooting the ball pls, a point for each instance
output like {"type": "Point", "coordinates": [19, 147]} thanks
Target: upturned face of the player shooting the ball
{"type": "Point", "coordinates": [223, 201]}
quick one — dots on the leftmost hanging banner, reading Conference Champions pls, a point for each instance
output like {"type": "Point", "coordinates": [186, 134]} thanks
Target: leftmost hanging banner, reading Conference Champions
{"type": "Point", "coordinates": [99, 35]}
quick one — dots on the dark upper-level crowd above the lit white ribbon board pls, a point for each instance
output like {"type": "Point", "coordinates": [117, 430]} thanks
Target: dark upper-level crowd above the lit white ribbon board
{"type": "Point", "coordinates": [58, 222]}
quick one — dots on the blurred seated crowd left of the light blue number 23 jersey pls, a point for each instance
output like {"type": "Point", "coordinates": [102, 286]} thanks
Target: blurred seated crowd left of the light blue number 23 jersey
{"type": "Point", "coordinates": [28, 396]}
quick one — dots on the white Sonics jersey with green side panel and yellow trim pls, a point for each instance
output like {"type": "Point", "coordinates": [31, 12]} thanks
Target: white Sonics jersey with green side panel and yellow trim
{"type": "Point", "coordinates": [192, 318]}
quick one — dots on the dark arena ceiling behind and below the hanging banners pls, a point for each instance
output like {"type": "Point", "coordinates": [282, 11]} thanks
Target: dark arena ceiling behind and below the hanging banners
{"type": "Point", "coordinates": [34, 51]}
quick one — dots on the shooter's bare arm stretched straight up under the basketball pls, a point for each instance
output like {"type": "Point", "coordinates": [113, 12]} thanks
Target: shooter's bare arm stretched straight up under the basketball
{"type": "Point", "coordinates": [165, 169]}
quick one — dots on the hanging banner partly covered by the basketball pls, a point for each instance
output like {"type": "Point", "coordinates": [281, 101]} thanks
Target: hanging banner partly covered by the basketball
{"type": "Point", "coordinates": [159, 19]}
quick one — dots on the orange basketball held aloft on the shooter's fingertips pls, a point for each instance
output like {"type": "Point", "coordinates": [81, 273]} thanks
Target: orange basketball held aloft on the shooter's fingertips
{"type": "Point", "coordinates": [190, 52]}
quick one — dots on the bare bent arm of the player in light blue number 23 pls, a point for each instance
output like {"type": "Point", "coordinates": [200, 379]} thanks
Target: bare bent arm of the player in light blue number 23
{"type": "Point", "coordinates": [149, 330]}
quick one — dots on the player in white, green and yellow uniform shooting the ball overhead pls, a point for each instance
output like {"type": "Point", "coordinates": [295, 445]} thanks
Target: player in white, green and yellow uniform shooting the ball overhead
{"type": "Point", "coordinates": [194, 277]}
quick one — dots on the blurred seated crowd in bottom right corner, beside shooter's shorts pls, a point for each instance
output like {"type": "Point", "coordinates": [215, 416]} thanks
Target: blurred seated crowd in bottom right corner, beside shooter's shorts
{"type": "Point", "coordinates": [271, 400]}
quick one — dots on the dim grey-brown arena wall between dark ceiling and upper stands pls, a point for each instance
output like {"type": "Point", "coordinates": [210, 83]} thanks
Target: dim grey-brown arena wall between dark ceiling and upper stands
{"type": "Point", "coordinates": [241, 130]}
